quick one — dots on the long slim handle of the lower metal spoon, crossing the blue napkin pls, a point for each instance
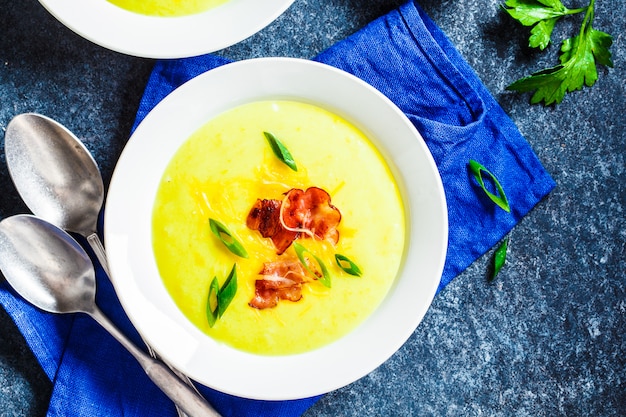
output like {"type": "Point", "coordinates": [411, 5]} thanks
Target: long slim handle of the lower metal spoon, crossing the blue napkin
{"type": "Point", "coordinates": [193, 404]}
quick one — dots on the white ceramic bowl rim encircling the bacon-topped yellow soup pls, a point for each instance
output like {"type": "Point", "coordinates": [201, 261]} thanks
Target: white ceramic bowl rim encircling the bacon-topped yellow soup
{"type": "Point", "coordinates": [128, 229]}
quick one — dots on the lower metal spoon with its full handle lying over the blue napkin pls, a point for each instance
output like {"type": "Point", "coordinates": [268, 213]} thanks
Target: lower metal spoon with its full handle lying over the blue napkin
{"type": "Point", "coordinates": [48, 268]}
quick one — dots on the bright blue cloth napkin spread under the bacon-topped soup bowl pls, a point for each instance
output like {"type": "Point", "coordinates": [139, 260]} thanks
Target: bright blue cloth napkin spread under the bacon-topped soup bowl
{"type": "Point", "coordinates": [409, 59]}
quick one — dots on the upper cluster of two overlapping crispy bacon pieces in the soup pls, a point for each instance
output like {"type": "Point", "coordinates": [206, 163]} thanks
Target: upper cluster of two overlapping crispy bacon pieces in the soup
{"type": "Point", "coordinates": [301, 212]}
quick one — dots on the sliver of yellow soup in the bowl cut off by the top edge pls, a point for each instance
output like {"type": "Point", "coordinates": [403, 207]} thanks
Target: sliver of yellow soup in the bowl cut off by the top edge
{"type": "Point", "coordinates": [167, 7]}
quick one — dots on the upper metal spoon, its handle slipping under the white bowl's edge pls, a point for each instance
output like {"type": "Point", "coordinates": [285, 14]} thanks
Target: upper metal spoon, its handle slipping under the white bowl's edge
{"type": "Point", "coordinates": [56, 176]}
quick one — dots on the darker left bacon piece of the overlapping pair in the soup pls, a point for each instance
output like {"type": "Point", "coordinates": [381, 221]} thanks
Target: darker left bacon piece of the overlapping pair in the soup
{"type": "Point", "coordinates": [265, 217]}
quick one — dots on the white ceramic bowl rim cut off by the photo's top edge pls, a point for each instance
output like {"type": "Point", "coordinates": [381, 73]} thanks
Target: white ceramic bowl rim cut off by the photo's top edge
{"type": "Point", "coordinates": [165, 37]}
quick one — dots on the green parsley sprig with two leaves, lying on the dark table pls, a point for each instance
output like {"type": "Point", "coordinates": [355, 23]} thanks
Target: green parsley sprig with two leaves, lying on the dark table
{"type": "Point", "coordinates": [579, 54]}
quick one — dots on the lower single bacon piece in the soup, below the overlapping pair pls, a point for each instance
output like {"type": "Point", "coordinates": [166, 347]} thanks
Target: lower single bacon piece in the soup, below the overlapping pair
{"type": "Point", "coordinates": [282, 280]}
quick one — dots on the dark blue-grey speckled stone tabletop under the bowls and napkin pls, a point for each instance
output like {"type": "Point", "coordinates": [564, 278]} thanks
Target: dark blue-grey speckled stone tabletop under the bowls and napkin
{"type": "Point", "coordinates": [545, 339]}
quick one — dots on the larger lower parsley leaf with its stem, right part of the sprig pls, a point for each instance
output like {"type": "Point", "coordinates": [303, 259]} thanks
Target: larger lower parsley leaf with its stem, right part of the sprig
{"type": "Point", "coordinates": [578, 65]}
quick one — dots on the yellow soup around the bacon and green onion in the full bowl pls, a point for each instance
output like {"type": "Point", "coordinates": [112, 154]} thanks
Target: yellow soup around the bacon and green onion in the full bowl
{"type": "Point", "coordinates": [221, 171]}
